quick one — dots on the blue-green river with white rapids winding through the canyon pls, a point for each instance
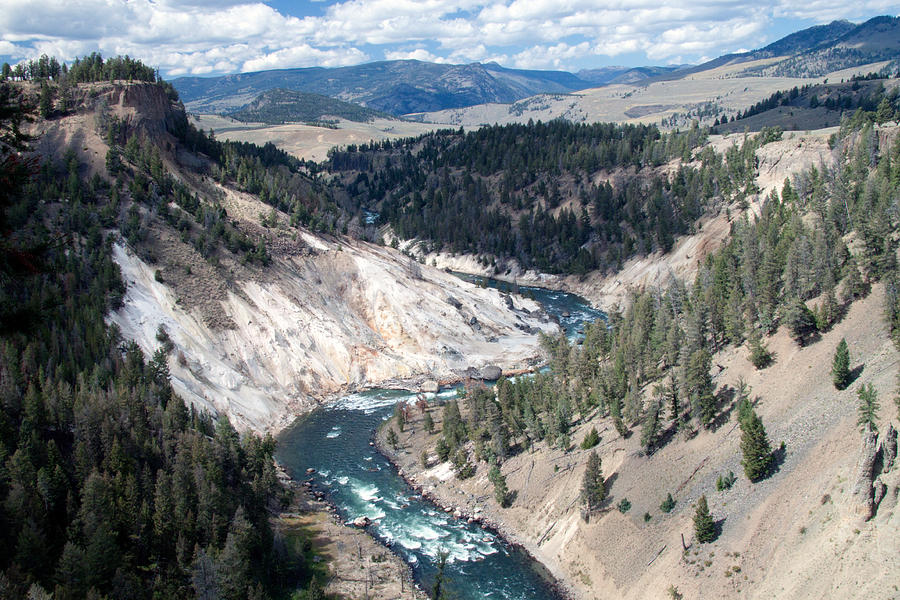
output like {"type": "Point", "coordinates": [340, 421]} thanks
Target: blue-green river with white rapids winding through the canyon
{"type": "Point", "coordinates": [335, 441]}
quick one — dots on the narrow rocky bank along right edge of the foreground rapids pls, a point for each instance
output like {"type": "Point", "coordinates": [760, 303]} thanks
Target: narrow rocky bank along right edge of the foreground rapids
{"type": "Point", "coordinates": [468, 507]}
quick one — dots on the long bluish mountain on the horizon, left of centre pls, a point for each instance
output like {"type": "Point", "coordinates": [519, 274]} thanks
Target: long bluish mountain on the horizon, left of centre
{"type": "Point", "coordinates": [396, 87]}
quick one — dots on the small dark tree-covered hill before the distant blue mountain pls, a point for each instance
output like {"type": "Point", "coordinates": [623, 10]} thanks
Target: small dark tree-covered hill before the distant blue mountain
{"type": "Point", "coordinates": [283, 106]}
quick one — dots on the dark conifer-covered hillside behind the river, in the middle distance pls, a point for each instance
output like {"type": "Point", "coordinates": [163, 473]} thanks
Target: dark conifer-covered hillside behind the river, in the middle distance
{"type": "Point", "coordinates": [556, 197]}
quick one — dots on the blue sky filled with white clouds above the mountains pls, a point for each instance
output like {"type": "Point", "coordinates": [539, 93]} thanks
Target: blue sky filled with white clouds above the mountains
{"type": "Point", "coordinates": [208, 37]}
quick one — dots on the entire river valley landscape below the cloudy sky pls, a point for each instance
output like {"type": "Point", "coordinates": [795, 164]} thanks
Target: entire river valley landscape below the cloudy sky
{"type": "Point", "coordinates": [516, 337]}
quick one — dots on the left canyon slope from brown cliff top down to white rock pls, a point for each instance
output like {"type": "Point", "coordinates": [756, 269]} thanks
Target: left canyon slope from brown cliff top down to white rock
{"type": "Point", "coordinates": [263, 343]}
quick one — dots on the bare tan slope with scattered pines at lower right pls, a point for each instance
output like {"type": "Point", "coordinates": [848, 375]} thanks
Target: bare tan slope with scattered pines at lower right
{"type": "Point", "coordinates": [797, 534]}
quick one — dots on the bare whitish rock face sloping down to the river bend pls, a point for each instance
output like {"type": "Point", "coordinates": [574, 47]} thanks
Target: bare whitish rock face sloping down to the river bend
{"type": "Point", "coordinates": [344, 317]}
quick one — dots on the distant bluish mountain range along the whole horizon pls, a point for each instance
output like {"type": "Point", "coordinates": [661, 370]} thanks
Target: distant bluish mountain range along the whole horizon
{"type": "Point", "coordinates": [402, 87]}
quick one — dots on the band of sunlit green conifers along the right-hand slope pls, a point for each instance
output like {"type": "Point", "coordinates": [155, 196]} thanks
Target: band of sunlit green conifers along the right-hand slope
{"type": "Point", "coordinates": [766, 274]}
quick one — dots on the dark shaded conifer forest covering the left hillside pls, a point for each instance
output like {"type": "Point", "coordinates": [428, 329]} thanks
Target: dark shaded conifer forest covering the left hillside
{"type": "Point", "coordinates": [110, 486]}
